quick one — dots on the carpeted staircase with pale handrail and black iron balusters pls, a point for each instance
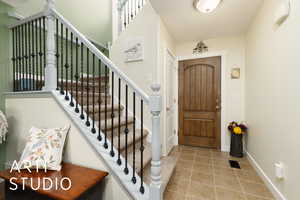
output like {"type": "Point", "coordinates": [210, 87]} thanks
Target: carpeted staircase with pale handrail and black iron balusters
{"type": "Point", "coordinates": [50, 54]}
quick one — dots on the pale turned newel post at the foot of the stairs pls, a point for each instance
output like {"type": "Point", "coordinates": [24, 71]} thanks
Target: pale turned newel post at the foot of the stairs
{"type": "Point", "coordinates": [155, 109]}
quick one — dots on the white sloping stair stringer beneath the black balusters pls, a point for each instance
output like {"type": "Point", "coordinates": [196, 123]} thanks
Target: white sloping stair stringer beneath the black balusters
{"type": "Point", "coordinates": [98, 146]}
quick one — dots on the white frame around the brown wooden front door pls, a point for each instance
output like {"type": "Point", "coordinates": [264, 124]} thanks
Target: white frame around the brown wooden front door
{"type": "Point", "coordinates": [222, 54]}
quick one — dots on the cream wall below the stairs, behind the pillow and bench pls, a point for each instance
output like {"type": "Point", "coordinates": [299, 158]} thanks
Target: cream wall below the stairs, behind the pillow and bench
{"type": "Point", "coordinates": [42, 111]}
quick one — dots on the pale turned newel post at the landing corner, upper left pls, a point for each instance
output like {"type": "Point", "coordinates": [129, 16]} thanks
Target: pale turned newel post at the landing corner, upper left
{"type": "Point", "coordinates": [50, 70]}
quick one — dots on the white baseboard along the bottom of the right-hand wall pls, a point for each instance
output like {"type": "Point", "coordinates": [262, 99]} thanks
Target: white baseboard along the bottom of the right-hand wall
{"type": "Point", "coordinates": [275, 191]}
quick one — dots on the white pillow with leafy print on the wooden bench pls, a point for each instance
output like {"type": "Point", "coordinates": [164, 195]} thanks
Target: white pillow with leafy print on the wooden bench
{"type": "Point", "coordinates": [44, 148]}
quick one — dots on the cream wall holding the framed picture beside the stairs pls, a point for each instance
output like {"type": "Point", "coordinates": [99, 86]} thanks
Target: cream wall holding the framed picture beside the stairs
{"type": "Point", "coordinates": [144, 73]}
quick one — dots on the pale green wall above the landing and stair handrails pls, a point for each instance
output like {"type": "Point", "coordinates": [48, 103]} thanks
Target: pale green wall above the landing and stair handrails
{"type": "Point", "coordinates": [91, 17]}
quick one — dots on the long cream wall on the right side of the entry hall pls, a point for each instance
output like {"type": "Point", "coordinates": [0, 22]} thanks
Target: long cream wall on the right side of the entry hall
{"type": "Point", "coordinates": [272, 95]}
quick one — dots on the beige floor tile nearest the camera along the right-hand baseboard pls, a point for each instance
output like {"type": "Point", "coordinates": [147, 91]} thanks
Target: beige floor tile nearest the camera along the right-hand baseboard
{"type": "Point", "coordinates": [256, 189]}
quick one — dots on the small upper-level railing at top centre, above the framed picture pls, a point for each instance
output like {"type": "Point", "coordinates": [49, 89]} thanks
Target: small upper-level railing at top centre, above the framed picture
{"type": "Point", "coordinates": [127, 11]}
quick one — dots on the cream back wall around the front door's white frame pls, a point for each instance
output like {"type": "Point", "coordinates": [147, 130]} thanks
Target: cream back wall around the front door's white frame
{"type": "Point", "coordinates": [234, 48]}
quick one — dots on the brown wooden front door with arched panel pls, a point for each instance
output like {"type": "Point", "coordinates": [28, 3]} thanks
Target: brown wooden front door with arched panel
{"type": "Point", "coordinates": [199, 102]}
